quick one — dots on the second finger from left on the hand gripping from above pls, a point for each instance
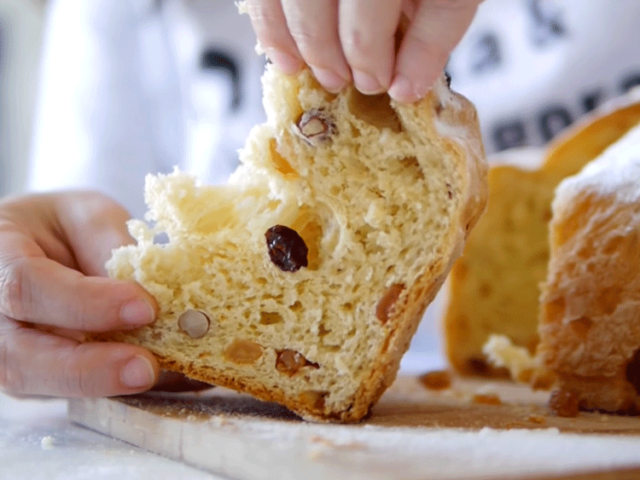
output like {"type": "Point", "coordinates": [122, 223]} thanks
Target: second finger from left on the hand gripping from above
{"type": "Point", "coordinates": [314, 28]}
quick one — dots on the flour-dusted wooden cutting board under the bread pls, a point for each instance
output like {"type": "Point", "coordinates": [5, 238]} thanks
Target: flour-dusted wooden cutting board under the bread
{"type": "Point", "coordinates": [413, 433]}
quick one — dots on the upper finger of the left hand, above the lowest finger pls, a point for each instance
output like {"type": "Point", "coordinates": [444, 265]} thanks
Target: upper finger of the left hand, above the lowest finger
{"type": "Point", "coordinates": [39, 290]}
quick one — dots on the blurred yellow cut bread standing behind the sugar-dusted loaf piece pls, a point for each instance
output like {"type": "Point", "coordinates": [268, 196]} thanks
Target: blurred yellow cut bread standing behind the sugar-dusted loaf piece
{"type": "Point", "coordinates": [494, 287]}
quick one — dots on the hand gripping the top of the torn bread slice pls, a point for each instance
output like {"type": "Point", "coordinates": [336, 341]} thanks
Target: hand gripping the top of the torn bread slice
{"type": "Point", "coordinates": [345, 40]}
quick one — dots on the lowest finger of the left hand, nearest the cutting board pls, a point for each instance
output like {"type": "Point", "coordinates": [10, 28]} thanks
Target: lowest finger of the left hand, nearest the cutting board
{"type": "Point", "coordinates": [33, 362]}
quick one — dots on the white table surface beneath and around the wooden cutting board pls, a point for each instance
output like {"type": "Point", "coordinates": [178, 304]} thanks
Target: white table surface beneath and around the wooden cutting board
{"type": "Point", "coordinates": [38, 442]}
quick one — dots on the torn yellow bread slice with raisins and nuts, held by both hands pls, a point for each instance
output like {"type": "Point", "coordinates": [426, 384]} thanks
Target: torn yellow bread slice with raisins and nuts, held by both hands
{"type": "Point", "coordinates": [382, 196]}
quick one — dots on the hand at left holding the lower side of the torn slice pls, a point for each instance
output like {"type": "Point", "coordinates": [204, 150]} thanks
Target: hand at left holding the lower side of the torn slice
{"type": "Point", "coordinates": [52, 290]}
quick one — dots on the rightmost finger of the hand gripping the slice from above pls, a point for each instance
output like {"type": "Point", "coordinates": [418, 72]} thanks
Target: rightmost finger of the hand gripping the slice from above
{"type": "Point", "coordinates": [435, 30]}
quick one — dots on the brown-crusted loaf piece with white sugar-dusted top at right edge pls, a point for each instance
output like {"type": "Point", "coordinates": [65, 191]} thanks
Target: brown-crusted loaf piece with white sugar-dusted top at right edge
{"type": "Point", "coordinates": [590, 304]}
